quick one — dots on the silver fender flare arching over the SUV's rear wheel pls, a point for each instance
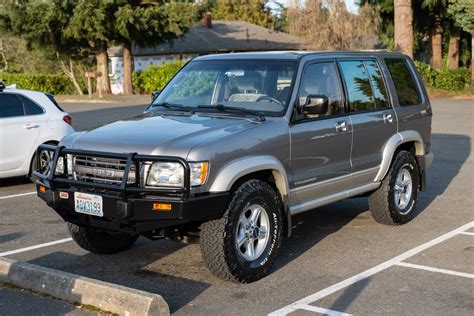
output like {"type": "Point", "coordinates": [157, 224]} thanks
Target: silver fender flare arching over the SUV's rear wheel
{"type": "Point", "coordinates": [391, 146]}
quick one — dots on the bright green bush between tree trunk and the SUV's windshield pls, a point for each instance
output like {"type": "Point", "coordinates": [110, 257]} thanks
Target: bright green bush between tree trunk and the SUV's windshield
{"type": "Point", "coordinates": [155, 77]}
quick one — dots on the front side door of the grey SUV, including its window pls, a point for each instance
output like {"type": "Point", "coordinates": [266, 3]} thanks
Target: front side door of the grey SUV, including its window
{"type": "Point", "coordinates": [320, 144]}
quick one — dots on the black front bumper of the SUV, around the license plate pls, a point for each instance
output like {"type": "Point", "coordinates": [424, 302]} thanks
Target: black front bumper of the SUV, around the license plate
{"type": "Point", "coordinates": [137, 215]}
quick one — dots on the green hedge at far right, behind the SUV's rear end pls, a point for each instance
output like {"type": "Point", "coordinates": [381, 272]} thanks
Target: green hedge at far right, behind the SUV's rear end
{"type": "Point", "coordinates": [444, 79]}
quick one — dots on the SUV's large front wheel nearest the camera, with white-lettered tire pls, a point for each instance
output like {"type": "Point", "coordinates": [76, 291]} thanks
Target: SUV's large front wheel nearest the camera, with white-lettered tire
{"type": "Point", "coordinates": [243, 245]}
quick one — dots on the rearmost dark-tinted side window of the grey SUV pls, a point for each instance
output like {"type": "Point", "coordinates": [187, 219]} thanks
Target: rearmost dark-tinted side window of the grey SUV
{"type": "Point", "coordinates": [405, 86]}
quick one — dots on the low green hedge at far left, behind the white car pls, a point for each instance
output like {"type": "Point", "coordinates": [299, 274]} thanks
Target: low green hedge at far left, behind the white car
{"type": "Point", "coordinates": [54, 84]}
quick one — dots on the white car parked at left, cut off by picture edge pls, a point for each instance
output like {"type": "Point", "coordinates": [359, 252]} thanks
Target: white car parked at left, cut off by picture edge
{"type": "Point", "coordinates": [27, 120]}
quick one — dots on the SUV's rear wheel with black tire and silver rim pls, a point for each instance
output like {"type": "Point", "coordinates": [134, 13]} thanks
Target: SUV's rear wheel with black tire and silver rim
{"type": "Point", "coordinates": [394, 203]}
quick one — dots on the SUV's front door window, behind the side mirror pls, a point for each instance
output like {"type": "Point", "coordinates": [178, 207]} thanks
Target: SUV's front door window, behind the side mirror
{"type": "Point", "coordinates": [321, 78]}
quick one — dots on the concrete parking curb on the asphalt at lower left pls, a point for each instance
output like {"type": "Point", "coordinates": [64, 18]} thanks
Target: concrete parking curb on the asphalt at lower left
{"type": "Point", "coordinates": [77, 289]}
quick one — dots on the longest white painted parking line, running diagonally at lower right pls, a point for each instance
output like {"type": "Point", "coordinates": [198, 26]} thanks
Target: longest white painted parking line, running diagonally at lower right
{"type": "Point", "coordinates": [370, 272]}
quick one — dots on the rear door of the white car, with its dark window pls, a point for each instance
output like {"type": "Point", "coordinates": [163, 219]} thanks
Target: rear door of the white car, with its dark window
{"type": "Point", "coordinates": [19, 130]}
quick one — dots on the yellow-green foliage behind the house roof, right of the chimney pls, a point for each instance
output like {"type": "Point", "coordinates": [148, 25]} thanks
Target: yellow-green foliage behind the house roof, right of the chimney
{"type": "Point", "coordinates": [252, 11]}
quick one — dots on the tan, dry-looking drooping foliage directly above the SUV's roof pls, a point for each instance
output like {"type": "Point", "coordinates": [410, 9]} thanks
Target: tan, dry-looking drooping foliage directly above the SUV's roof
{"type": "Point", "coordinates": [327, 25]}
